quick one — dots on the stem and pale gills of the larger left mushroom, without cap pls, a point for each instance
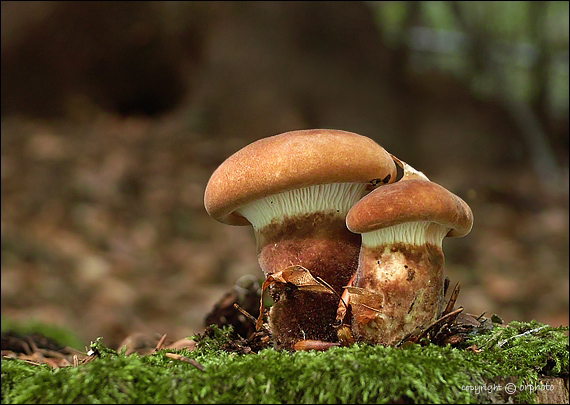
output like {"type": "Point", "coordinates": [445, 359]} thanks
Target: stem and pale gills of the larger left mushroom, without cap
{"type": "Point", "coordinates": [306, 227]}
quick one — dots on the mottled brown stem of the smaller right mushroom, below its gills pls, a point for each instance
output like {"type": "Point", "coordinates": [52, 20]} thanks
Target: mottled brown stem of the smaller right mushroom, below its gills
{"type": "Point", "coordinates": [402, 289]}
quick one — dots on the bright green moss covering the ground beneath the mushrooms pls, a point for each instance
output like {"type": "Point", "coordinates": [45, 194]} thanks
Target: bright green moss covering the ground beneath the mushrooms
{"type": "Point", "coordinates": [358, 374]}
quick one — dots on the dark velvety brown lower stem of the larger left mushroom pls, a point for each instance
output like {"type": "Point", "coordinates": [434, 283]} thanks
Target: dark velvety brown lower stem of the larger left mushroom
{"type": "Point", "coordinates": [323, 245]}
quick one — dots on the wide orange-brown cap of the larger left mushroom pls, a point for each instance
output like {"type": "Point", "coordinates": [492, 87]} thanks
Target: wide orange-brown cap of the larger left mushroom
{"type": "Point", "coordinates": [293, 160]}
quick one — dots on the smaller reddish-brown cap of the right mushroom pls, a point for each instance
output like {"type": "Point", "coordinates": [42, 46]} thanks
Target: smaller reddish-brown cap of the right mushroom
{"type": "Point", "coordinates": [408, 201]}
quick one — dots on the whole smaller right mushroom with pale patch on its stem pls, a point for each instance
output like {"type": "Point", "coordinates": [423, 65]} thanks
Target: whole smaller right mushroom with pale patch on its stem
{"type": "Point", "coordinates": [398, 286]}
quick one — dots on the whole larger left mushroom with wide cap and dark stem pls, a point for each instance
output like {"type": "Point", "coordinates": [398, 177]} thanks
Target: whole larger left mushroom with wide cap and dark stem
{"type": "Point", "coordinates": [295, 189]}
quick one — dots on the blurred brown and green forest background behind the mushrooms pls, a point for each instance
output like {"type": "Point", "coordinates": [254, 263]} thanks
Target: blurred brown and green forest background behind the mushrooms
{"type": "Point", "coordinates": [115, 114]}
